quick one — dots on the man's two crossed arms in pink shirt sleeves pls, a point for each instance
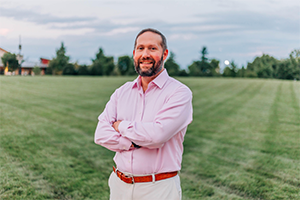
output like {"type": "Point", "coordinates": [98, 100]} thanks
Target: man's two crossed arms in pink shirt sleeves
{"type": "Point", "coordinates": [116, 135]}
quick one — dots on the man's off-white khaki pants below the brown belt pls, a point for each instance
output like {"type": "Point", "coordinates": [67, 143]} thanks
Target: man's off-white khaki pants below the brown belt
{"type": "Point", "coordinates": [168, 189]}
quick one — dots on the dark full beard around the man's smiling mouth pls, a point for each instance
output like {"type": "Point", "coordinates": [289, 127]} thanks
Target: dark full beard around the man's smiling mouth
{"type": "Point", "coordinates": [156, 67]}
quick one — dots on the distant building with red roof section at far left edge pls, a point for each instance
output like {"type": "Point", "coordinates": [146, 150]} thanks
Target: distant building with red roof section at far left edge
{"type": "Point", "coordinates": [26, 66]}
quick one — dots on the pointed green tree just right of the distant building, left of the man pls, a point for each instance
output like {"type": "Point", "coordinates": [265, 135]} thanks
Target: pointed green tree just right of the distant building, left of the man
{"type": "Point", "coordinates": [58, 63]}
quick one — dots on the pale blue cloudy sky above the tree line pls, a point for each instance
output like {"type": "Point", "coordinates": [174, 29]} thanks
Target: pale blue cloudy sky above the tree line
{"type": "Point", "coordinates": [234, 30]}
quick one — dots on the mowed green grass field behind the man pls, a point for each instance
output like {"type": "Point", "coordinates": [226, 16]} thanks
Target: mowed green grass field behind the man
{"type": "Point", "coordinates": [244, 142]}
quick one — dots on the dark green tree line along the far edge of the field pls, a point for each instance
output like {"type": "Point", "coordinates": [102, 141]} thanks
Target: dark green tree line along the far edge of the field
{"type": "Point", "coordinates": [264, 66]}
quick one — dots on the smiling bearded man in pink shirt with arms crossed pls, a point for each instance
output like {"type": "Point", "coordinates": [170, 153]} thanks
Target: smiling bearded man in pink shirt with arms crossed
{"type": "Point", "coordinates": [144, 122]}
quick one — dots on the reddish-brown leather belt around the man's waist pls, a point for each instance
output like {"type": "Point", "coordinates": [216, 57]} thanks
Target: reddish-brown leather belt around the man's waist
{"type": "Point", "coordinates": [142, 179]}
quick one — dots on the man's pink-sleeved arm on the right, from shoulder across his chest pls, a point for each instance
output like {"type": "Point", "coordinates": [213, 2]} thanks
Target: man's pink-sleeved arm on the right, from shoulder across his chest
{"type": "Point", "coordinates": [173, 117]}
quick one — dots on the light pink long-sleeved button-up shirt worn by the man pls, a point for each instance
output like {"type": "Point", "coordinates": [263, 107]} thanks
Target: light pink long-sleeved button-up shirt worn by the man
{"type": "Point", "coordinates": [157, 120]}
